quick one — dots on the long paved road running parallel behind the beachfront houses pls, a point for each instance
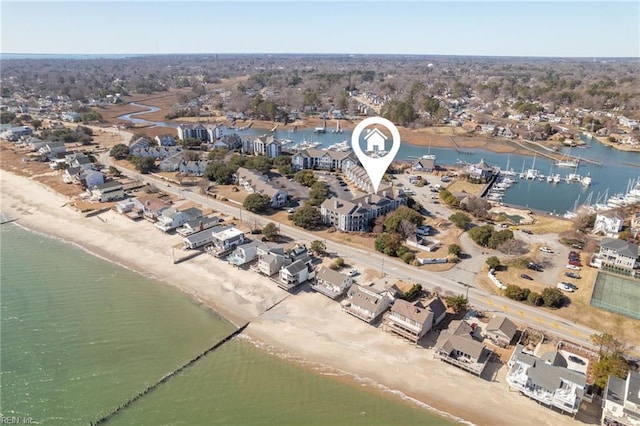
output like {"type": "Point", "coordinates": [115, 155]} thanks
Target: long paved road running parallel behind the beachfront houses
{"type": "Point", "coordinates": [464, 283]}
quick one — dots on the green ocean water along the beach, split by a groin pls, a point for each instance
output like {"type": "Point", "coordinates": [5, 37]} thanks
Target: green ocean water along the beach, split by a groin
{"type": "Point", "coordinates": [81, 335]}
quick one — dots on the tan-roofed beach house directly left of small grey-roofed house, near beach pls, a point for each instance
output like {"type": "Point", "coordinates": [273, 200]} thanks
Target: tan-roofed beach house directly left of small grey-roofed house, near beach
{"type": "Point", "coordinates": [456, 346]}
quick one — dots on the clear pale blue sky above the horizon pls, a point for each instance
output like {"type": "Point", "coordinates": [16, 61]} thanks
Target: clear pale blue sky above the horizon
{"type": "Point", "coordinates": [503, 28]}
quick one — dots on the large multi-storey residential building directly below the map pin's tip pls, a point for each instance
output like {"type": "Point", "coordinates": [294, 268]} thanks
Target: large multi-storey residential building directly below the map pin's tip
{"type": "Point", "coordinates": [357, 214]}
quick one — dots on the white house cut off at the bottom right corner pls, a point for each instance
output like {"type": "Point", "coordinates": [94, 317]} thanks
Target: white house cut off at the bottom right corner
{"type": "Point", "coordinates": [621, 401]}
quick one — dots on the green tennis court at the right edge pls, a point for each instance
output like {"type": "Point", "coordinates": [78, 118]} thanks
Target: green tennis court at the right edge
{"type": "Point", "coordinates": [617, 294]}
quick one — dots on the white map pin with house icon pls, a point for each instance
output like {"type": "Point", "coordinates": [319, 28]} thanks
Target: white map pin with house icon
{"type": "Point", "coordinates": [375, 167]}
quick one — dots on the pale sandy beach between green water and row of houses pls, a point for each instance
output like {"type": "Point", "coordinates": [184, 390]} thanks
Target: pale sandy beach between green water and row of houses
{"type": "Point", "coordinates": [306, 327]}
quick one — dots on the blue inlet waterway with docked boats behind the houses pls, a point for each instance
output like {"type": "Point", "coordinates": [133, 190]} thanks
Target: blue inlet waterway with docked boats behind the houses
{"type": "Point", "coordinates": [612, 174]}
